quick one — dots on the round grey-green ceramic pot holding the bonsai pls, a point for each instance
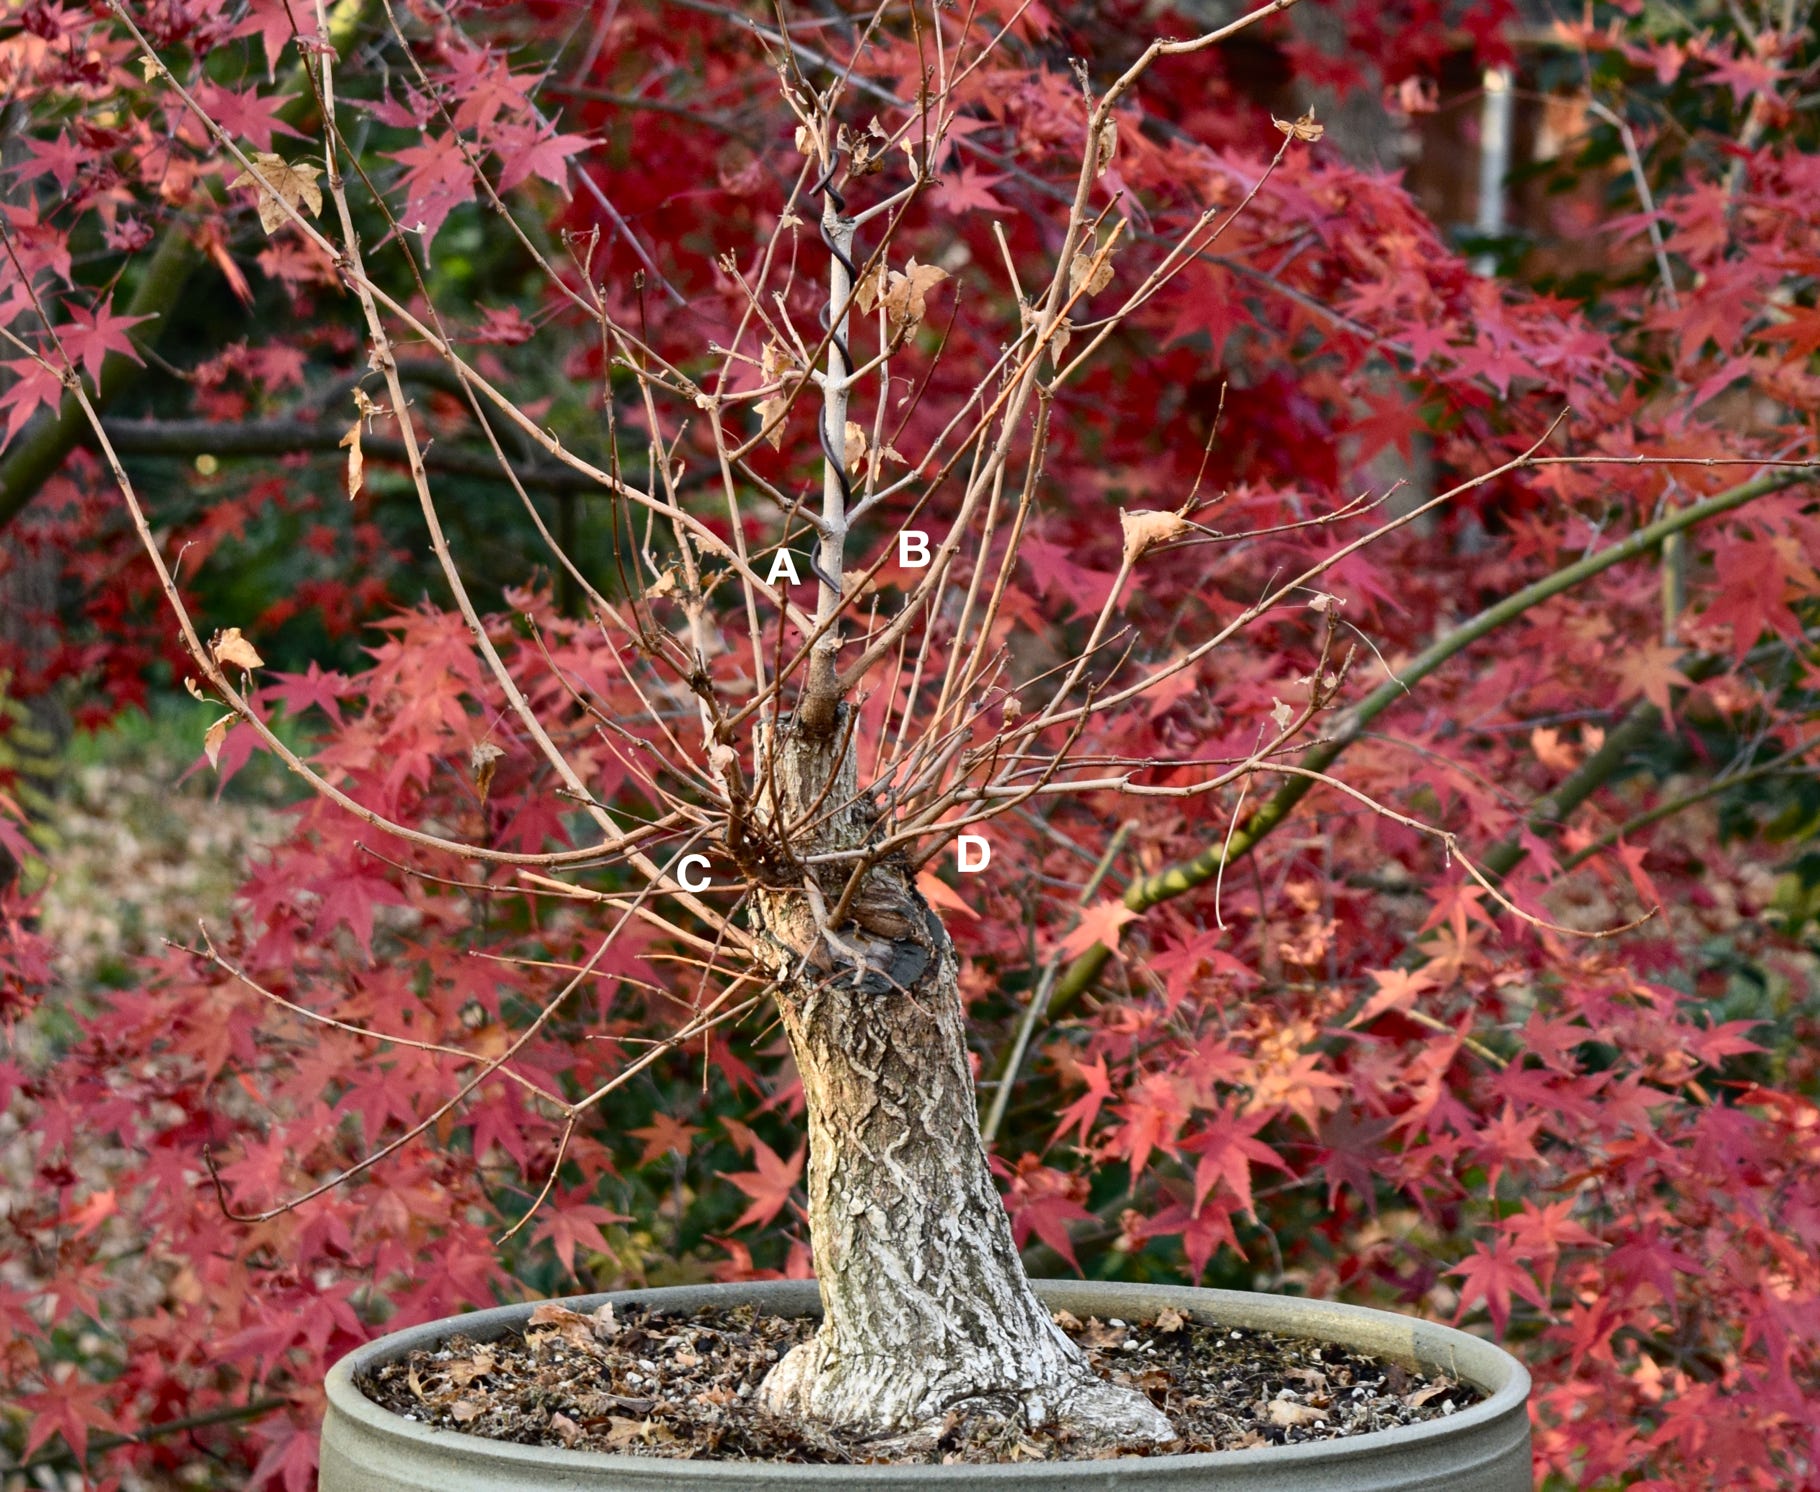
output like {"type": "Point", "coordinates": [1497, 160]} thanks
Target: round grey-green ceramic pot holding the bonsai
{"type": "Point", "coordinates": [1481, 1449]}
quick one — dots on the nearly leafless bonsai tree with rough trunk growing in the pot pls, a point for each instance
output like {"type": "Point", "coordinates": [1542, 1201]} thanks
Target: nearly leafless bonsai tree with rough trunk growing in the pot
{"type": "Point", "coordinates": [925, 1300]}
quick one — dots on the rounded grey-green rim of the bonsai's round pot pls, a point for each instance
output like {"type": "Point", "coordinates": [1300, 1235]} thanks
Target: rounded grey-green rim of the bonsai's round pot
{"type": "Point", "coordinates": [1291, 1316]}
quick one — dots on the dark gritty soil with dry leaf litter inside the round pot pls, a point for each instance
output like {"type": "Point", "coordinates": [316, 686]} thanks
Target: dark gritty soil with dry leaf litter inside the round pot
{"type": "Point", "coordinates": [638, 1382]}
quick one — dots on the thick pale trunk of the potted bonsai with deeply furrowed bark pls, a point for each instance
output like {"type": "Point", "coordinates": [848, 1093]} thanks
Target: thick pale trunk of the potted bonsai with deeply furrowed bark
{"type": "Point", "coordinates": [927, 1307]}
